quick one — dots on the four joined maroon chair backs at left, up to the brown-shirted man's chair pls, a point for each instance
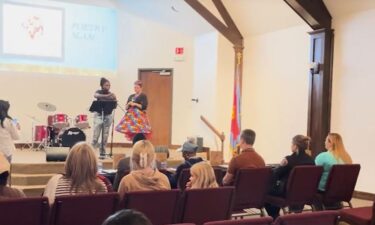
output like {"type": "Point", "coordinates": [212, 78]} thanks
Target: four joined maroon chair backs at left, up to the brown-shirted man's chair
{"type": "Point", "coordinates": [161, 207]}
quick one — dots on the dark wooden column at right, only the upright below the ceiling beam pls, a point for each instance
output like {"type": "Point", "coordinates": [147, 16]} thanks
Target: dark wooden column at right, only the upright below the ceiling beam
{"type": "Point", "coordinates": [320, 88]}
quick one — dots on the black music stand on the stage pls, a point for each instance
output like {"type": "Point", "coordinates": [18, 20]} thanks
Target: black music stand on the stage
{"type": "Point", "coordinates": [103, 108]}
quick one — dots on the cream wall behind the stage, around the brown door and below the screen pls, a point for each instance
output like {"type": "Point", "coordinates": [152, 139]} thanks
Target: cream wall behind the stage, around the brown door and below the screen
{"type": "Point", "coordinates": [142, 44]}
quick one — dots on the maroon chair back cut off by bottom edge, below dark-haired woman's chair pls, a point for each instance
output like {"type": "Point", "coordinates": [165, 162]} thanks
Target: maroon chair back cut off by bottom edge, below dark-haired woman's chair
{"type": "Point", "coordinates": [314, 218]}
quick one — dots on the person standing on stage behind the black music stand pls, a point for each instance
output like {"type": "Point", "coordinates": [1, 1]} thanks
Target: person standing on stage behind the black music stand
{"type": "Point", "coordinates": [102, 126]}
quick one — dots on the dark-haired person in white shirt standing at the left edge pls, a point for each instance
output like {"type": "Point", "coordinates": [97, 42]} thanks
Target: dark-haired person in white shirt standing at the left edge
{"type": "Point", "coordinates": [8, 131]}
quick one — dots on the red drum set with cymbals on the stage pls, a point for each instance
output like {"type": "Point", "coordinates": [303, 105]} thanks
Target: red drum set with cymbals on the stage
{"type": "Point", "coordinates": [58, 131]}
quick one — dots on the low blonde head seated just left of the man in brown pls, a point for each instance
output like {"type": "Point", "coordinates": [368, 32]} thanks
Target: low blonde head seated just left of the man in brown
{"type": "Point", "coordinates": [202, 175]}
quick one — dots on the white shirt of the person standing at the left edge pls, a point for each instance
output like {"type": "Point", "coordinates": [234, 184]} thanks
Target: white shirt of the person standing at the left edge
{"type": "Point", "coordinates": [8, 134]}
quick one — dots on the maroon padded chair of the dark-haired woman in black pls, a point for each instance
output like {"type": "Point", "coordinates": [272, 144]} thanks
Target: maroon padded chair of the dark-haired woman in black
{"type": "Point", "coordinates": [301, 188]}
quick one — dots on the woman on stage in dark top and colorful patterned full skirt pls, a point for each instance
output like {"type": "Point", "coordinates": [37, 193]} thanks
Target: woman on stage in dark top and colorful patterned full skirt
{"type": "Point", "coordinates": [135, 120]}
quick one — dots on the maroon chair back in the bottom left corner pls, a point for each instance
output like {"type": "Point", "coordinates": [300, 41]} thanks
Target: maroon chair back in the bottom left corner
{"type": "Point", "coordinates": [24, 211]}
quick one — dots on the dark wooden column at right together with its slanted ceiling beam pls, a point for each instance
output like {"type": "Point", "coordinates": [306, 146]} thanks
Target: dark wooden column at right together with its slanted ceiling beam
{"type": "Point", "coordinates": [317, 16]}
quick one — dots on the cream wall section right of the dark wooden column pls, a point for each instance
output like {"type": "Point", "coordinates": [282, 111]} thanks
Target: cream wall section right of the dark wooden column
{"type": "Point", "coordinates": [353, 90]}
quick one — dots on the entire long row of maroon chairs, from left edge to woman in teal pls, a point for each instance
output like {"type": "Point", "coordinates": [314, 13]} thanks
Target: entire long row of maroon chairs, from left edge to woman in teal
{"type": "Point", "coordinates": [191, 206]}
